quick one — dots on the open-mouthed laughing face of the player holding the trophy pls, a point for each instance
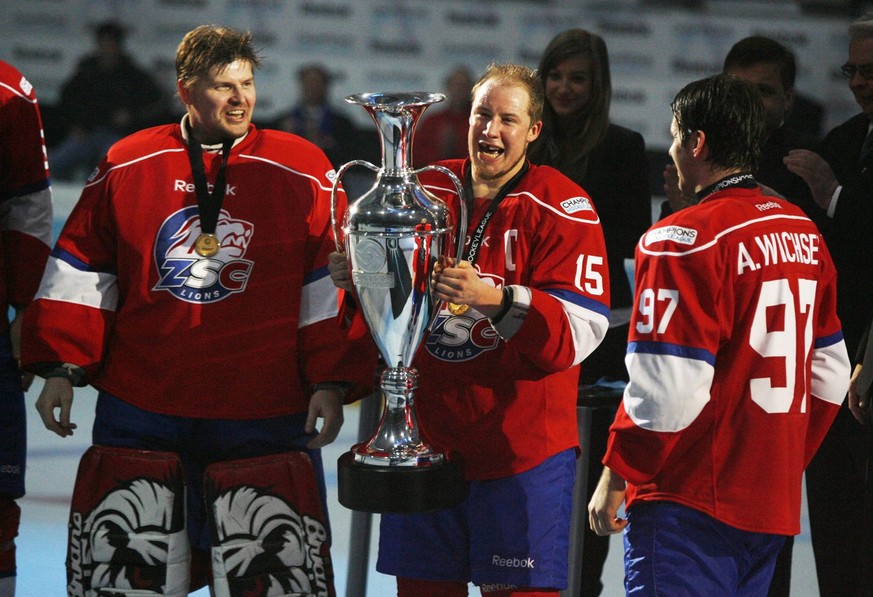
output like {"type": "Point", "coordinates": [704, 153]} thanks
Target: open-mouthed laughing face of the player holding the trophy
{"type": "Point", "coordinates": [500, 131]}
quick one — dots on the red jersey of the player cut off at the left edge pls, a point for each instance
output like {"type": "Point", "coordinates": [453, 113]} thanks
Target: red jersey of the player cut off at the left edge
{"type": "Point", "coordinates": [25, 192]}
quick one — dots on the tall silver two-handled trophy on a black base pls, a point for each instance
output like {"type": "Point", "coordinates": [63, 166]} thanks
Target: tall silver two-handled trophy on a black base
{"type": "Point", "coordinates": [392, 236]}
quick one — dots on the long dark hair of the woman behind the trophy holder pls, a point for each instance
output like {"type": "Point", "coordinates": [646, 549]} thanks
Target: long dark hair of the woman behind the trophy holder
{"type": "Point", "coordinates": [568, 149]}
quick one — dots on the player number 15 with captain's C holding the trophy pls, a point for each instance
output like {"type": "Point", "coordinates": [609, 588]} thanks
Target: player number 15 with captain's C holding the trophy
{"type": "Point", "coordinates": [499, 382]}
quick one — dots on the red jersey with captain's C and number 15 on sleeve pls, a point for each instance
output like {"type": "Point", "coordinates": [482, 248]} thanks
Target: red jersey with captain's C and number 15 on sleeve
{"type": "Point", "coordinates": [505, 398]}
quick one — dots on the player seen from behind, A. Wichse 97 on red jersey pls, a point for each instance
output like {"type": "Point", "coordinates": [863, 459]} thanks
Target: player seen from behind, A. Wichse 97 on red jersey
{"type": "Point", "coordinates": [737, 367]}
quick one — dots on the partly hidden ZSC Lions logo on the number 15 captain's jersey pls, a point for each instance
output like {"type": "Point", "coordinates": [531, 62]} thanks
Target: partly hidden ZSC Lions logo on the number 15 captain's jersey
{"type": "Point", "coordinates": [456, 338]}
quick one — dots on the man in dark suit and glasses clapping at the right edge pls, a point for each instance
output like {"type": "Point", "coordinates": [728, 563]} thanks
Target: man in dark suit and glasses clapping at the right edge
{"type": "Point", "coordinates": [840, 177]}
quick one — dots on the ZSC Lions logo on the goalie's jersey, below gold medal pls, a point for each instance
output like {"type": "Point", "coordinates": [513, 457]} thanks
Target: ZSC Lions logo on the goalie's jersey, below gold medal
{"type": "Point", "coordinates": [197, 279]}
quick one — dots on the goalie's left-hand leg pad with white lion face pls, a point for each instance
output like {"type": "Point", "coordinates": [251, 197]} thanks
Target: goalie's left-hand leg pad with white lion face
{"type": "Point", "coordinates": [127, 531]}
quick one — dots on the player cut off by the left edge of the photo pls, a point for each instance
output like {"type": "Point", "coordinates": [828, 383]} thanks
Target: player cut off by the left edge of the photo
{"type": "Point", "coordinates": [25, 230]}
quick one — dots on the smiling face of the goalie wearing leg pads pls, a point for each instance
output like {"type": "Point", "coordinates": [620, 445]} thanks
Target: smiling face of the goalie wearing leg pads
{"type": "Point", "coordinates": [220, 105]}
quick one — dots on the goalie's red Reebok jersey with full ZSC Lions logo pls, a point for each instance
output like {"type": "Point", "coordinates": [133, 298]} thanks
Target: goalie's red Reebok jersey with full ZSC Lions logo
{"type": "Point", "coordinates": [242, 334]}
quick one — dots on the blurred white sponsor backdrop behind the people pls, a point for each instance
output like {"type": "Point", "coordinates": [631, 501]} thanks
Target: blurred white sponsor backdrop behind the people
{"type": "Point", "coordinates": [392, 45]}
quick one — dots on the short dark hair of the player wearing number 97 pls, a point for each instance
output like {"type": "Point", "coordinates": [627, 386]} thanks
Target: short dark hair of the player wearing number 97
{"type": "Point", "coordinates": [730, 113]}
